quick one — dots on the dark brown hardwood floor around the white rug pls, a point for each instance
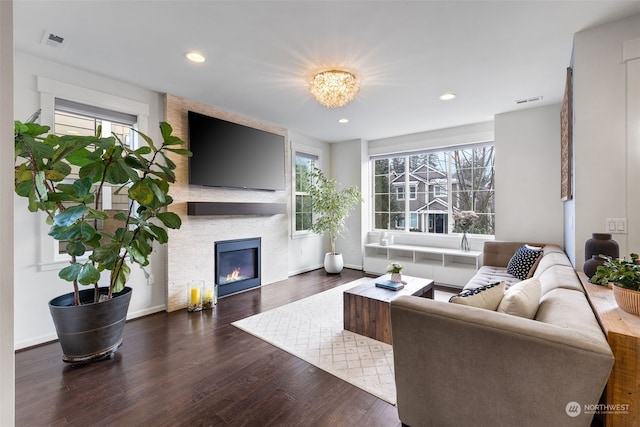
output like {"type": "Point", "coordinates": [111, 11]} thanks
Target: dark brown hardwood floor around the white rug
{"type": "Point", "coordinates": [197, 369]}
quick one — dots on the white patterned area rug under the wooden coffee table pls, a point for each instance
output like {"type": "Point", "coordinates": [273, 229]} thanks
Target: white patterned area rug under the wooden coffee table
{"type": "Point", "coordinates": [312, 330]}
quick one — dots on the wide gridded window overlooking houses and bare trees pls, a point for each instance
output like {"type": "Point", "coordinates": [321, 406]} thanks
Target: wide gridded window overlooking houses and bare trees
{"type": "Point", "coordinates": [439, 183]}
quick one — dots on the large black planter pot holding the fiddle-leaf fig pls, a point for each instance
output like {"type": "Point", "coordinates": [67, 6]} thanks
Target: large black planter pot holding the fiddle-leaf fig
{"type": "Point", "coordinates": [90, 331]}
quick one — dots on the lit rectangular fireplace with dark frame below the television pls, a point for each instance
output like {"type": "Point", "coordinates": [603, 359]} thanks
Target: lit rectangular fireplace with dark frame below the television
{"type": "Point", "coordinates": [237, 265]}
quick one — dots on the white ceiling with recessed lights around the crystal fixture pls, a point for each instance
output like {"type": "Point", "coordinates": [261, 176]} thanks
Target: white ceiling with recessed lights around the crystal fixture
{"type": "Point", "coordinates": [261, 54]}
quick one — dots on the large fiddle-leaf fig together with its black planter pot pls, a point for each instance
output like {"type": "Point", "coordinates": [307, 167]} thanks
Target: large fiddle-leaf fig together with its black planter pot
{"type": "Point", "coordinates": [66, 177]}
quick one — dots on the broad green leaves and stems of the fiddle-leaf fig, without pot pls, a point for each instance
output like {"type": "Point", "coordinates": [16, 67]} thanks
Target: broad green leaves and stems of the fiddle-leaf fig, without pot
{"type": "Point", "coordinates": [66, 178]}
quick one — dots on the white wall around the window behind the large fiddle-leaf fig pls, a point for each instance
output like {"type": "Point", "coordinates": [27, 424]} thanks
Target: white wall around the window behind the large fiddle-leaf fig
{"type": "Point", "coordinates": [35, 285]}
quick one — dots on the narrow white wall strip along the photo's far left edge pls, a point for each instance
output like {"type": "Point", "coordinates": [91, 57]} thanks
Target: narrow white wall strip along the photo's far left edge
{"type": "Point", "coordinates": [7, 356]}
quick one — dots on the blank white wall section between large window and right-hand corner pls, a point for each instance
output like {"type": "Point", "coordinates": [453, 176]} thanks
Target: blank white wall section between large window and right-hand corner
{"type": "Point", "coordinates": [528, 205]}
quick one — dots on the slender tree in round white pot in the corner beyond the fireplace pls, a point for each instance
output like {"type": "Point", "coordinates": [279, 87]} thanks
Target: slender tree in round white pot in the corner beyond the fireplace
{"type": "Point", "coordinates": [331, 207]}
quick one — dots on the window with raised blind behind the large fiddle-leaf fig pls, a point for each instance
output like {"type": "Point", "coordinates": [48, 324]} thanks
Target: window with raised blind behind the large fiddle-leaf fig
{"type": "Point", "coordinates": [72, 118]}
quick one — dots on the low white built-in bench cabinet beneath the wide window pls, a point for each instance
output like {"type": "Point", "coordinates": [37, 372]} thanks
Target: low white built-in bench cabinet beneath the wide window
{"type": "Point", "coordinates": [452, 267]}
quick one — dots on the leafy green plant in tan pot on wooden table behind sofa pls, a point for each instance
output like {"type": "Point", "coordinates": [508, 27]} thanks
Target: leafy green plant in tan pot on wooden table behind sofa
{"type": "Point", "coordinates": [625, 276]}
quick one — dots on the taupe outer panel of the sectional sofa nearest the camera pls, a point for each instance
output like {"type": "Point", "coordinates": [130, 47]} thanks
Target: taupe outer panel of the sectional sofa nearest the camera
{"type": "Point", "coordinates": [457, 365]}
